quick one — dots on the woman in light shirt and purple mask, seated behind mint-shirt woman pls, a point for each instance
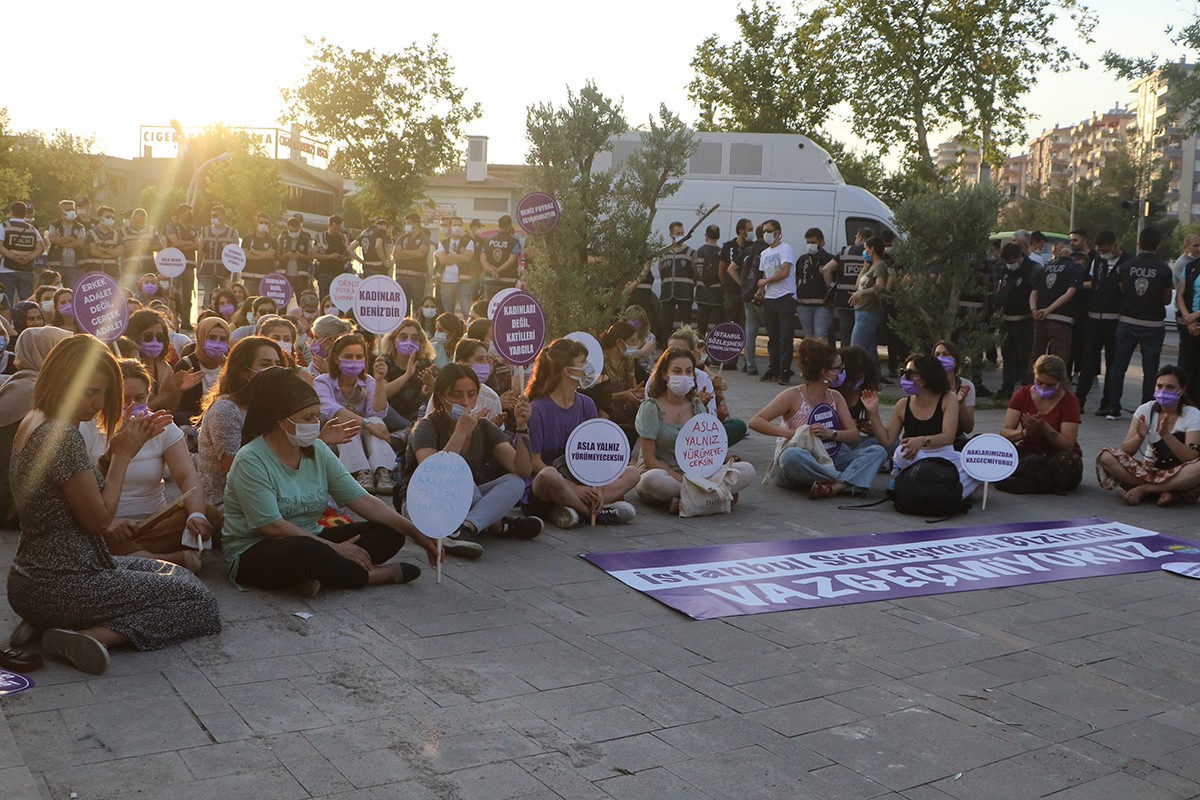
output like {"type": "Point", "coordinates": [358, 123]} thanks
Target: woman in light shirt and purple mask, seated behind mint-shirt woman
{"type": "Point", "coordinates": [350, 393]}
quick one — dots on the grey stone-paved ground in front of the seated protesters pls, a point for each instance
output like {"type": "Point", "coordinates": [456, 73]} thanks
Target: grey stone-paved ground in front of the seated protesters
{"type": "Point", "coordinates": [532, 675]}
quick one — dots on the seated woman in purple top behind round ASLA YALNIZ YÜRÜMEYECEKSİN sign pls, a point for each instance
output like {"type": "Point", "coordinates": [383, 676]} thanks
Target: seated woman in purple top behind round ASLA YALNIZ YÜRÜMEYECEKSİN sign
{"type": "Point", "coordinates": [556, 410]}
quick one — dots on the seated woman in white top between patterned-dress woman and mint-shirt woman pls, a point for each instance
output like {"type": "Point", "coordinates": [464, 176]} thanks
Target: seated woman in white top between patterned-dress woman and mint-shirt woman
{"type": "Point", "coordinates": [143, 495]}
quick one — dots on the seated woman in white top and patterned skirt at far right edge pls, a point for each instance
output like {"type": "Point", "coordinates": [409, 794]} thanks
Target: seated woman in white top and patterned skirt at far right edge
{"type": "Point", "coordinates": [1161, 454]}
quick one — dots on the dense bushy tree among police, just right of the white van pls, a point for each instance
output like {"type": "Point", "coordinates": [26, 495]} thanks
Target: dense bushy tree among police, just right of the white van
{"type": "Point", "coordinates": [943, 251]}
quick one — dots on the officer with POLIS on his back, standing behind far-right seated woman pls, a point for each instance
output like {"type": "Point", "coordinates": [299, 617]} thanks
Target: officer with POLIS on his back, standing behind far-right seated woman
{"type": "Point", "coordinates": [1147, 282]}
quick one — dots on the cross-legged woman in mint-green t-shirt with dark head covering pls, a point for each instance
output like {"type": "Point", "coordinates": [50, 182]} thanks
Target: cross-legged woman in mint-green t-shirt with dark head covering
{"type": "Point", "coordinates": [278, 490]}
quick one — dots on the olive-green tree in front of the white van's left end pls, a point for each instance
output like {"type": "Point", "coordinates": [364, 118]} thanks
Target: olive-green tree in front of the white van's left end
{"type": "Point", "coordinates": [580, 269]}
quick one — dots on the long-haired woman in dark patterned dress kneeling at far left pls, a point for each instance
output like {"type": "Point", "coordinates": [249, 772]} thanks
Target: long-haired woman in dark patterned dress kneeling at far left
{"type": "Point", "coordinates": [64, 578]}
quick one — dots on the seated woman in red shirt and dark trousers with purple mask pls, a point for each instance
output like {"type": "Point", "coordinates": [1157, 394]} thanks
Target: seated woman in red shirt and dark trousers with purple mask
{"type": "Point", "coordinates": [1043, 422]}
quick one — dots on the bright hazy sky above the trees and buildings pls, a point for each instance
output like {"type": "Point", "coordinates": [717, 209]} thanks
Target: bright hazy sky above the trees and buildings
{"type": "Point", "coordinates": [103, 75]}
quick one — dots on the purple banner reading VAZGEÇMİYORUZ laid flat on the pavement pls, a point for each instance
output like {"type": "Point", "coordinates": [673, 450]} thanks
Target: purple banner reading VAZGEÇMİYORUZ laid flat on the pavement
{"type": "Point", "coordinates": [763, 578]}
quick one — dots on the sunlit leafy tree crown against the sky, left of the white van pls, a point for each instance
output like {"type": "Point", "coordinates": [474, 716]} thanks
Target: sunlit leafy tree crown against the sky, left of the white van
{"type": "Point", "coordinates": [394, 118]}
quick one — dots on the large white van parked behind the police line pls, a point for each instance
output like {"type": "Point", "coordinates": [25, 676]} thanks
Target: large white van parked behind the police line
{"type": "Point", "coordinates": [764, 177]}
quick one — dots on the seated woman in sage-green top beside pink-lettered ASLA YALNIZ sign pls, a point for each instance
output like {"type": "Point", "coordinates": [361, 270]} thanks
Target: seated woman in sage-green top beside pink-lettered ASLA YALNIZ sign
{"type": "Point", "coordinates": [670, 402]}
